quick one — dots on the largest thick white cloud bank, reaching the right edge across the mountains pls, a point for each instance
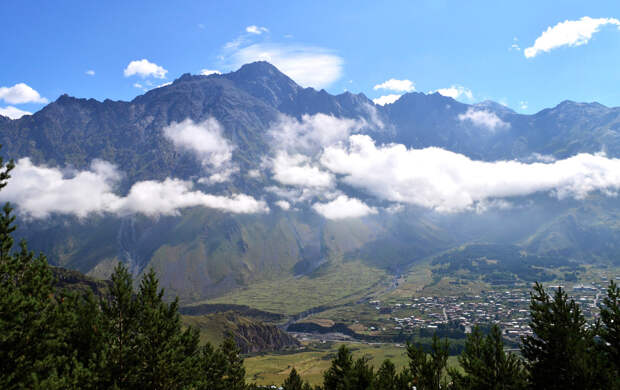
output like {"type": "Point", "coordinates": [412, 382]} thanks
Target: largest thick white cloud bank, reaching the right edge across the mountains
{"type": "Point", "coordinates": [446, 181]}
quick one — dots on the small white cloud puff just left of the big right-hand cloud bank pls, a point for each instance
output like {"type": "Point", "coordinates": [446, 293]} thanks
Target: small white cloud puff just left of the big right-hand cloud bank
{"type": "Point", "coordinates": [298, 170]}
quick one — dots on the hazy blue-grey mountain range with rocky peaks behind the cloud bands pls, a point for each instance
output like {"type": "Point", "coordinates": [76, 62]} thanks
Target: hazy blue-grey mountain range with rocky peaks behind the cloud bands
{"type": "Point", "coordinates": [203, 252]}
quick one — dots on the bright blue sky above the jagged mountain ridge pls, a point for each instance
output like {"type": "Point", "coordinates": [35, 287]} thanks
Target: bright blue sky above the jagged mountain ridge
{"type": "Point", "coordinates": [355, 46]}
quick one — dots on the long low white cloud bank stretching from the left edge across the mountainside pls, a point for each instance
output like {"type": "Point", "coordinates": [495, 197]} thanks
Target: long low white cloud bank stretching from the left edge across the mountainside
{"type": "Point", "coordinates": [40, 191]}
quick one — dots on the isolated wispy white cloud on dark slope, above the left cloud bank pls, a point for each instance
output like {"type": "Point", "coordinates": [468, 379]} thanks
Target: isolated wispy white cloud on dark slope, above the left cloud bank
{"type": "Point", "coordinates": [204, 139]}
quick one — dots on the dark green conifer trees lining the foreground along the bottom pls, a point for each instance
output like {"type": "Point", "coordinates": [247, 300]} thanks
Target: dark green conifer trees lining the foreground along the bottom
{"type": "Point", "coordinates": [133, 339]}
